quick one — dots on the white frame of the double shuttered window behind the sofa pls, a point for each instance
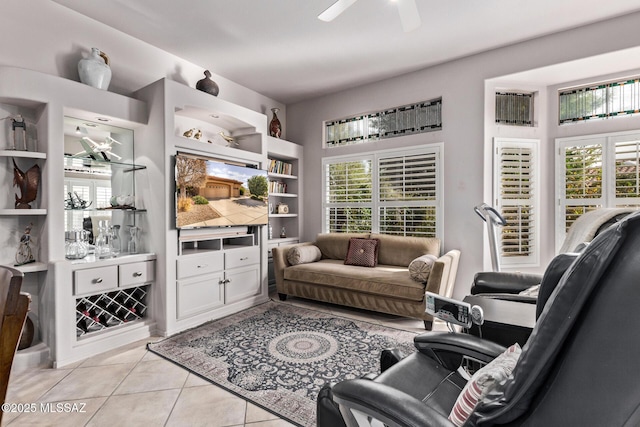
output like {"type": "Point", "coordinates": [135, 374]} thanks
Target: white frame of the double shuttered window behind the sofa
{"type": "Point", "coordinates": [376, 204]}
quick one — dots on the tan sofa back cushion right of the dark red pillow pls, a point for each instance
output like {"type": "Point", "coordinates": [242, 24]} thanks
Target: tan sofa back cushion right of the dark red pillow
{"type": "Point", "coordinates": [401, 250]}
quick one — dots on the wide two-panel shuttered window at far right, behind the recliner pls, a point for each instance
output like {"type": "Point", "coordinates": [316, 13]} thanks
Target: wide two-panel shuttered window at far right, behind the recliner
{"type": "Point", "coordinates": [594, 172]}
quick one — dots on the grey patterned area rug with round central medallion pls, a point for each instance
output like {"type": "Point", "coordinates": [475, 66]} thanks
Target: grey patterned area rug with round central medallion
{"type": "Point", "coordinates": [278, 356]}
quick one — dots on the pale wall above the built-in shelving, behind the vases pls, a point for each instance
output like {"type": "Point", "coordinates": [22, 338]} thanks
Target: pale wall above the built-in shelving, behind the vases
{"type": "Point", "coordinates": [44, 36]}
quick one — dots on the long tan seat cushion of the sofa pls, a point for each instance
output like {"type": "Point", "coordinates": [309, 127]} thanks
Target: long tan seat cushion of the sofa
{"type": "Point", "coordinates": [386, 280]}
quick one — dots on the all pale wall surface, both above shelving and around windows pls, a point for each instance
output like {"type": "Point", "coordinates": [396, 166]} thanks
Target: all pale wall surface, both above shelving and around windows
{"type": "Point", "coordinates": [46, 37]}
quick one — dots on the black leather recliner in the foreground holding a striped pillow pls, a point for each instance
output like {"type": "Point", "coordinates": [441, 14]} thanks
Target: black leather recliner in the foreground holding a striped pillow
{"type": "Point", "coordinates": [576, 369]}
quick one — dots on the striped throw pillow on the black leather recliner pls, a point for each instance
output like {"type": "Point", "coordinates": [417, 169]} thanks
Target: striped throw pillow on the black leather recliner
{"type": "Point", "coordinates": [480, 383]}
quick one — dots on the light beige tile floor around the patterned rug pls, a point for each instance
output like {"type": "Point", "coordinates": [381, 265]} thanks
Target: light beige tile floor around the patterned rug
{"type": "Point", "coordinates": [132, 386]}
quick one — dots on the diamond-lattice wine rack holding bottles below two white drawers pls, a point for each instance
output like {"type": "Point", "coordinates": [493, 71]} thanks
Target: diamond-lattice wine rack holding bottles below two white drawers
{"type": "Point", "coordinates": [99, 312]}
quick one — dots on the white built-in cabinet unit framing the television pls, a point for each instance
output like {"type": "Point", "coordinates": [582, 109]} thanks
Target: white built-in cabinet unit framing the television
{"type": "Point", "coordinates": [207, 272]}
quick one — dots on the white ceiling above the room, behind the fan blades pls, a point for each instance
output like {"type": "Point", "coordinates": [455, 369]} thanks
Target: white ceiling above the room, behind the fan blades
{"type": "Point", "coordinates": [280, 49]}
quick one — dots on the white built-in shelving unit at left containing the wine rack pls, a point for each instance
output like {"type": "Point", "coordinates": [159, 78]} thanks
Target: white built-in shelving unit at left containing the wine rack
{"type": "Point", "coordinates": [46, 102]}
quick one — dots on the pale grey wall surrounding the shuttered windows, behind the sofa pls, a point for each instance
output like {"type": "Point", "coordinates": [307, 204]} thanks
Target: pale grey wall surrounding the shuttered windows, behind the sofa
{"type": "Point", "coordinates": [461, 84]}
